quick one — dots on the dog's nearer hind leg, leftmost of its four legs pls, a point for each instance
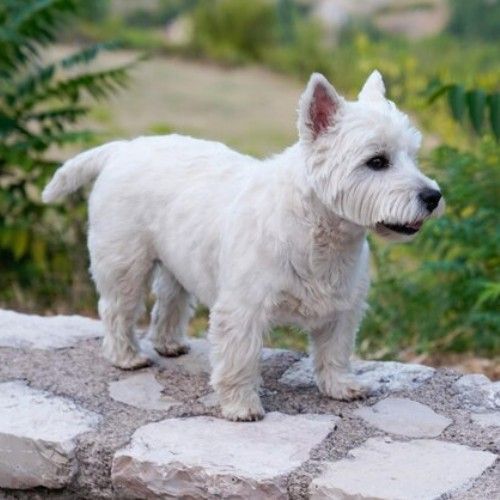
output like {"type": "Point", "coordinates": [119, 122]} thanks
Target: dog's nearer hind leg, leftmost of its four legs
{"type": "Point", "coordinates": [120, 281]}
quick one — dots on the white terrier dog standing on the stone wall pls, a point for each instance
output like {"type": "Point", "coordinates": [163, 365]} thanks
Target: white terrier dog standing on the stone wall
{"type": "Point", "coordinates": [261, 243]}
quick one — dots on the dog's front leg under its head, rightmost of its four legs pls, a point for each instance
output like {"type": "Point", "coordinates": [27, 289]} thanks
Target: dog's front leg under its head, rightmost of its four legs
{"type": "Point", "coordinates": [331, 348]}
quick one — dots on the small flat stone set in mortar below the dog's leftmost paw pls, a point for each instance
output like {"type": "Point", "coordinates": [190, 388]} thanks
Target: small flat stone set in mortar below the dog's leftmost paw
{"type": "Point", "coordinates": [142, 391]}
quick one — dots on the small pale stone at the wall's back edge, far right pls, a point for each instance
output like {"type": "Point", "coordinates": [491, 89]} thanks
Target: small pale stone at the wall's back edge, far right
{"type": "Point", "coordinates": [478, 392]}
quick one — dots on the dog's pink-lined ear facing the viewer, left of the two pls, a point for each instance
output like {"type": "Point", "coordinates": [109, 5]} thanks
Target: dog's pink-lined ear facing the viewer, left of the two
{"type": "Point", "coordinates": [318, 107]}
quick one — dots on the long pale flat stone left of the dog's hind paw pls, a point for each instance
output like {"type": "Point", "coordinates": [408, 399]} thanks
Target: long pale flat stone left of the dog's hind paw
{"type": "Point", "coordinates": [45, 332]}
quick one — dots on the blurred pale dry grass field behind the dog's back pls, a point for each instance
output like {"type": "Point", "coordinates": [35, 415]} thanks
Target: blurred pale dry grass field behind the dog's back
{"type": "Point", "coordinates": [251, 109]}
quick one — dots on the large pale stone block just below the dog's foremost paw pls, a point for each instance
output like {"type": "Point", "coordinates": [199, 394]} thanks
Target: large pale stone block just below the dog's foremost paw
{"type": "Point", "coordinates": [206, 457]}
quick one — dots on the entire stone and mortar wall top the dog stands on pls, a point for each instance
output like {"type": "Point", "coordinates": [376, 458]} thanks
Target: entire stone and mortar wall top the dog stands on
{"type": "Point", "coordinates": [101, 421]}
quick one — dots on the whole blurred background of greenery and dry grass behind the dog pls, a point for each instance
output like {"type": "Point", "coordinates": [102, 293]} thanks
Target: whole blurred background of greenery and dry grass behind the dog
{"type": "Point", "coordinates": [77, 73]}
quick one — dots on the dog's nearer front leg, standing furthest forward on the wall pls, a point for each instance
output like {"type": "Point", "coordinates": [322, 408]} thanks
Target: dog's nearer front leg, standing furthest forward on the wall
{"type": "Point", "coordinates": [236, 343]}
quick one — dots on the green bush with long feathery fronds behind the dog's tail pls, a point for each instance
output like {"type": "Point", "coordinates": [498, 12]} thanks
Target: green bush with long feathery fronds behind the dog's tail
{"type": "Point", "coordinates": [41, 248]}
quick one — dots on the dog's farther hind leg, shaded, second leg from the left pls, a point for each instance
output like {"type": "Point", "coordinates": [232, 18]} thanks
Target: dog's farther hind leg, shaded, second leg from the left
{"type": "Point", "coordinates": [170, 315]}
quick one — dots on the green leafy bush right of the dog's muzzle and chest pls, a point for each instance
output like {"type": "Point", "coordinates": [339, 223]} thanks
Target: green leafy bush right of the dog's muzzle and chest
{"type": "Point", "coordinates": [450, 300]}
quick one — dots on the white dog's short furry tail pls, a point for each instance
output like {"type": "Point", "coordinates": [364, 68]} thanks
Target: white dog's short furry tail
{"type": "Point", "coordinates": [78, 171]}
